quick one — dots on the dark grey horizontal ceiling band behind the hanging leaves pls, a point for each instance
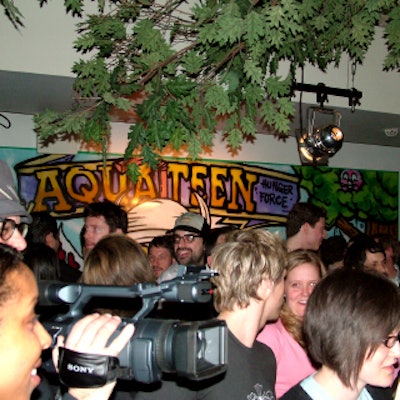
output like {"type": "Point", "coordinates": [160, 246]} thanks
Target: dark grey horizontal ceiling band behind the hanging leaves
{"type": "Point", "coordinates": [26, 93]}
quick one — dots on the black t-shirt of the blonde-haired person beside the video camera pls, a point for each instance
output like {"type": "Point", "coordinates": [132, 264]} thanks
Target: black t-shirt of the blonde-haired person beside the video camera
{"type": "Point", "coordinates": [250, 375]}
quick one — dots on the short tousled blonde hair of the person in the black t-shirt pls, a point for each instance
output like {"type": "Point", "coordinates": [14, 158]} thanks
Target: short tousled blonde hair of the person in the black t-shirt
{"type": "Point", "coordinates": [243, 261]}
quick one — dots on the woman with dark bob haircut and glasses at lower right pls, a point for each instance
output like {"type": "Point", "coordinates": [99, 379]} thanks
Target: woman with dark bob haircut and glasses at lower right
{"type": "Point", "coordinates": [351, 326]}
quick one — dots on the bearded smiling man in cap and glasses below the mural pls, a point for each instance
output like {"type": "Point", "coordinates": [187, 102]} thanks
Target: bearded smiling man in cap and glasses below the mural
{"type": "Point", "coordinates": [189, 234]}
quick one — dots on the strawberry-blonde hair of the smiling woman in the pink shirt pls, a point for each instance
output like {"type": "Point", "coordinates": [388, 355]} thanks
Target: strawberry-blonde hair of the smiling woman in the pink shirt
{"type": "Point", "coordinates": [292, 323]}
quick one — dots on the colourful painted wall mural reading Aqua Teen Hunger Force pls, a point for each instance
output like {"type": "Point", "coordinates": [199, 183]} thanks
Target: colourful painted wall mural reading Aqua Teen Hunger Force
{"type": "Point", "coordinates": [247, 195]}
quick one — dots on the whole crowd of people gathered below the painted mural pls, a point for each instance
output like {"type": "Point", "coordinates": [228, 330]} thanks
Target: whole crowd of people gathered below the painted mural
{"type": "Point", "coordinates": [308, 317]}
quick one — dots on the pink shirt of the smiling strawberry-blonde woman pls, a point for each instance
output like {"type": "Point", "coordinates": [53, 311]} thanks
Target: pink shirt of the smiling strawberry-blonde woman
{"type": "Point", "coordinates": [293, 364]}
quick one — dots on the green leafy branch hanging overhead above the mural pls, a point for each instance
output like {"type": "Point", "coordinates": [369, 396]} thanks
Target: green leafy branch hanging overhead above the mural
{"type": "Point", "coordinates": [206, 65]}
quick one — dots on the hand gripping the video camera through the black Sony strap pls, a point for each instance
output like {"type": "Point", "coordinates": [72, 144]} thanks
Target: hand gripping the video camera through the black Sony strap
{"type": "Point", "coordinates": [90, 335]}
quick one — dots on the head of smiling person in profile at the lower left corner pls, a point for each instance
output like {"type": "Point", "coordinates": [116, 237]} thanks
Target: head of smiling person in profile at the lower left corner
{"type": "Point", "coordinates": [23, 338]}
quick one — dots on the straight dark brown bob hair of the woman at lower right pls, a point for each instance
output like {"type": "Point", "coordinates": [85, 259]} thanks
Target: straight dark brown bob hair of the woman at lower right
{"type": "Point", "coordinates": [348, 315]}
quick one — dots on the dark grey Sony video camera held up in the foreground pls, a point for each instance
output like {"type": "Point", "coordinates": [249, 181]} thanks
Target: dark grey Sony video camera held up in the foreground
{"type": "Point", "coordinates": [195, 350]}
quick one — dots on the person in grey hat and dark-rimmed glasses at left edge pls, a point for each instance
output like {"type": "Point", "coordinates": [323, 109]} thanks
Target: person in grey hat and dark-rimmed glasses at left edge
{"type": "Point", "coordinates": [14, 218]}
